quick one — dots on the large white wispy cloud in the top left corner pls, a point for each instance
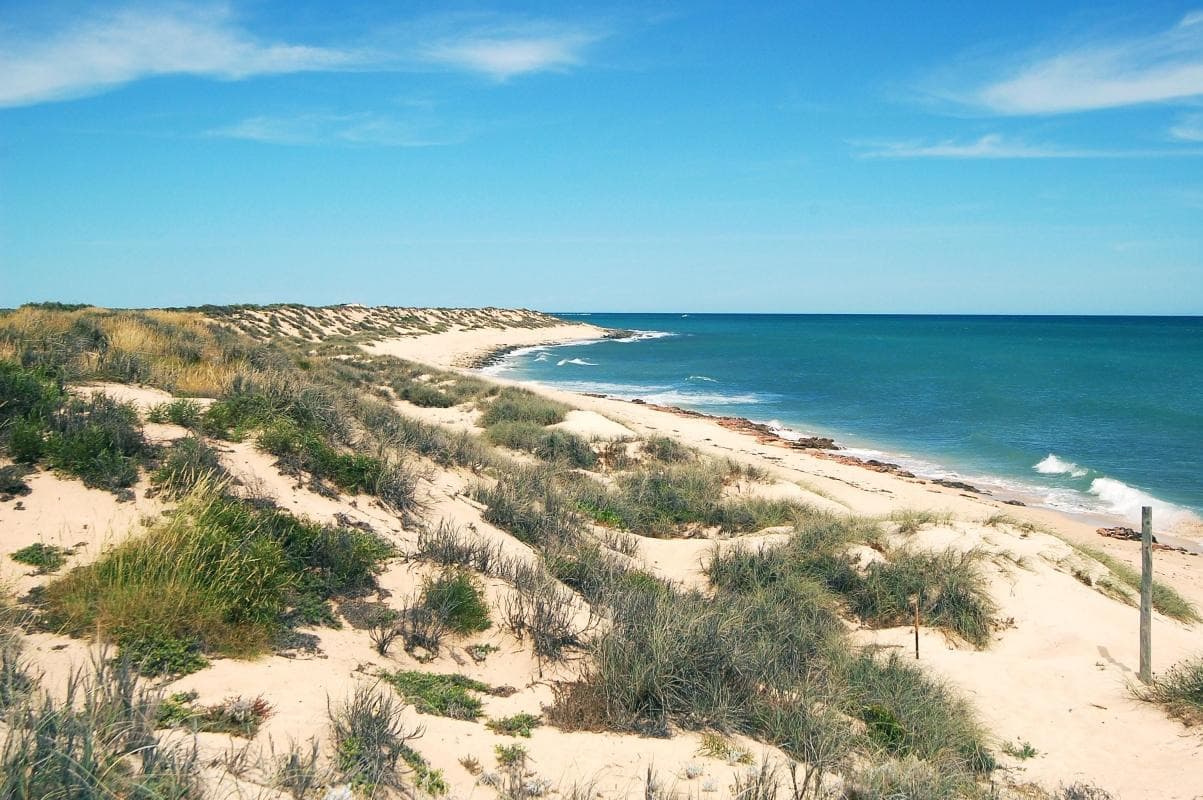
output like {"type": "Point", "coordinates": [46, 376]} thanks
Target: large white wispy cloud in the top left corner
{"type": "Point", "coordinates": [94, 55]}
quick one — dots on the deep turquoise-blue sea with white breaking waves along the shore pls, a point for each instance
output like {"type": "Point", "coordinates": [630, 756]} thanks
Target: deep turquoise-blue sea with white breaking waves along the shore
{"type": "Point", "coordinates": [1085, 414]}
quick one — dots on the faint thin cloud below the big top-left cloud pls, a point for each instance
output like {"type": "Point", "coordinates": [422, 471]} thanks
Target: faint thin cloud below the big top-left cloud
{"type": "Point", "coordinates": [368, 129]}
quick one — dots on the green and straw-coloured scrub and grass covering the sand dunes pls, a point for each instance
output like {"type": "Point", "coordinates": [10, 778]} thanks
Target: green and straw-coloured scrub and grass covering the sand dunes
{"type": "Point", "coordinates": [763, 650]}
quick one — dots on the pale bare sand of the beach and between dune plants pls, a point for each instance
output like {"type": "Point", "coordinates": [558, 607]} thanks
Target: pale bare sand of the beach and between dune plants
{"type": "Point", "coordinates": [1052, 685]}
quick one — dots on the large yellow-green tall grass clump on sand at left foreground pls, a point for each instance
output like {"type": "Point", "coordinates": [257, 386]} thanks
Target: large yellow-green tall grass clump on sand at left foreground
{"type": "Point", "coordinates": [218, 577]}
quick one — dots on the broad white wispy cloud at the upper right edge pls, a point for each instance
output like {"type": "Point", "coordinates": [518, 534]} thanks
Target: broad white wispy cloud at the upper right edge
{"type": "Point", "coordinates": [1160, 67]}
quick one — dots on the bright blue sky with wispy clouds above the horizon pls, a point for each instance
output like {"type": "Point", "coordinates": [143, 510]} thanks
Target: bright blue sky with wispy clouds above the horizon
{"type": "Point", "coordinates": [843, 157]}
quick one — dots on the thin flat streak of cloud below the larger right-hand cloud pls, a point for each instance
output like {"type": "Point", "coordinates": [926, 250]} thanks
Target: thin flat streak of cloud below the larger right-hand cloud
{"type": "Point", "coordinates": [995, 146]}
